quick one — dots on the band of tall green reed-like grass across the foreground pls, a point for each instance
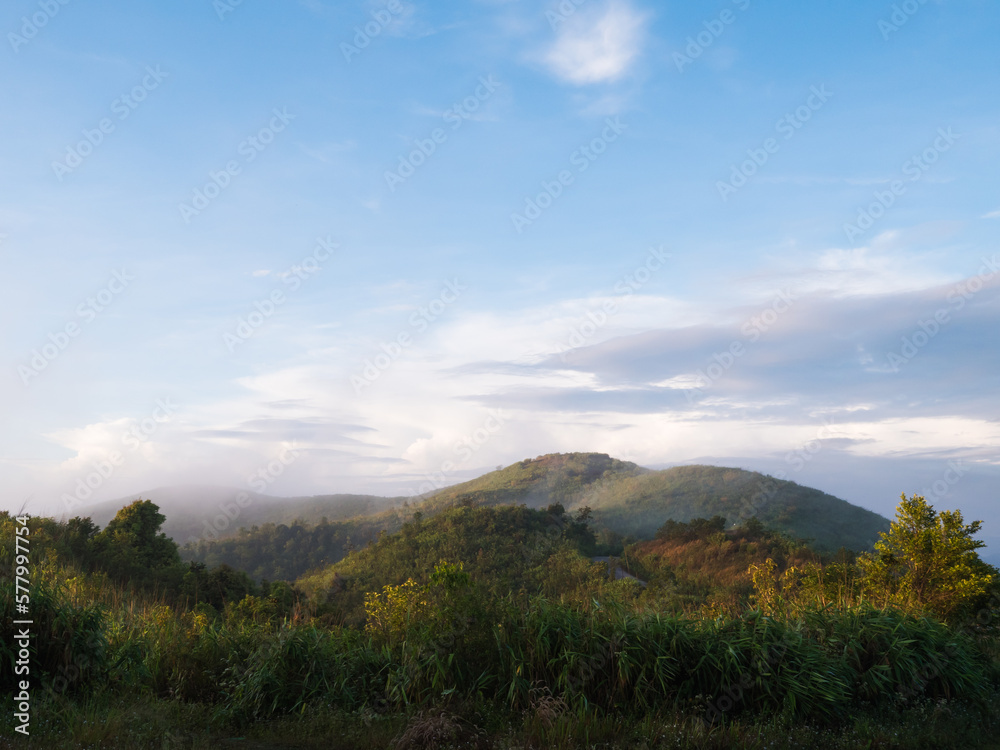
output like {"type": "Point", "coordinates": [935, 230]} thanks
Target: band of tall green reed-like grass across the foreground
{"type": "Point", "coordinates": [541, 657]}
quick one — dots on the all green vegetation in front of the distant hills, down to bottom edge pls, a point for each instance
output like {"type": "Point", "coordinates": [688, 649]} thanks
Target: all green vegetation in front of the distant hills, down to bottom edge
{"type": "Point", "coordinates": [492, 627]}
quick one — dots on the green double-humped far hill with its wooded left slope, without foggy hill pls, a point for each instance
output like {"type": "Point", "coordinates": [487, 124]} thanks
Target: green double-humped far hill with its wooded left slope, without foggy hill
{"type": "Point", "coordinates": [621, 502]}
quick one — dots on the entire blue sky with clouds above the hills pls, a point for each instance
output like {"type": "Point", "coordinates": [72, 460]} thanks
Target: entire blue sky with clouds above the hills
{"type": "Point", "coordinates": [309, 247]}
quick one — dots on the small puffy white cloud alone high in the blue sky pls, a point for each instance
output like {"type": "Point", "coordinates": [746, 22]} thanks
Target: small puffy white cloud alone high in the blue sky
{"type": "Point", "coordinates": [597, 47]}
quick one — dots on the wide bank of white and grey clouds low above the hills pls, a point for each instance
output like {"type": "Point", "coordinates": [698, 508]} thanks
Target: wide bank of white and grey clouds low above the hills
{"type": "Point", "coordinates": [617, 393]}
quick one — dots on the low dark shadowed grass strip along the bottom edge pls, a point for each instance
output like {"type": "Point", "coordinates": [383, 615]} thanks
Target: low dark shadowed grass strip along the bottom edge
{"type": "Point", "coordinates": [112, 722]}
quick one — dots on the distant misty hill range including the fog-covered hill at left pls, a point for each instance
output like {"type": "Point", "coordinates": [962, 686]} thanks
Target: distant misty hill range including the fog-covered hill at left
{"type": "Point", "coordinates": [285, 537]}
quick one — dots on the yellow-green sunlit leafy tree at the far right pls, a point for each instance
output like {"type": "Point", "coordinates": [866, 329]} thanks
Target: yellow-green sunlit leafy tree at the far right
{"type": "Point", "coordinates": [928, 560]}
